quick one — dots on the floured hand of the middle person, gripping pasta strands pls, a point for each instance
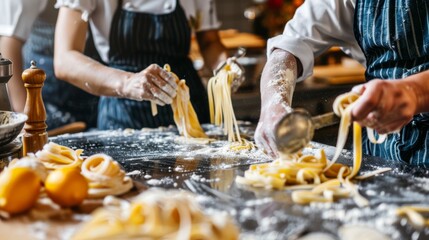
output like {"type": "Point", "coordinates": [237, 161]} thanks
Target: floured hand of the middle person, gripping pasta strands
{"type": "Point", "coordinates": [152, 84]}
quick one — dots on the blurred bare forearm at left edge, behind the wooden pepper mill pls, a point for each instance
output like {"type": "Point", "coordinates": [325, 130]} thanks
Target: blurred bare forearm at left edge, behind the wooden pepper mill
{"type": "Point", "coordinates": [11, 48]}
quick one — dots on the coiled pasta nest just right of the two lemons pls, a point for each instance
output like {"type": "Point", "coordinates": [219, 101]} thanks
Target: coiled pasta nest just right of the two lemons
{"type": "Point", "coordinates": [105, 176]}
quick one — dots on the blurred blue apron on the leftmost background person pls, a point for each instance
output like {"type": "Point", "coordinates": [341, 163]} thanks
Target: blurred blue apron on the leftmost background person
{"type": "Point", "coordinates": [64, 103]}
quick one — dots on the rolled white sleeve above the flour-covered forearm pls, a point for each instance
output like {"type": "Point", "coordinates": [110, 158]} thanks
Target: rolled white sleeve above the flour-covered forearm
{"type": "Point", "coordinates": [317, 26]}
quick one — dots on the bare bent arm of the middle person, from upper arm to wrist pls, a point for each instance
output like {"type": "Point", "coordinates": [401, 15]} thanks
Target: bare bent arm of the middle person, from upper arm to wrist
{"type": "Point", "coordinates": [71, 65]}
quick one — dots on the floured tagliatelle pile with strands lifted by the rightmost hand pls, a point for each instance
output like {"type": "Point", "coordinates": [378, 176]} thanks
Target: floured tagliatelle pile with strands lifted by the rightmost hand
{"type": "Point", "coordinates": [326, 180]}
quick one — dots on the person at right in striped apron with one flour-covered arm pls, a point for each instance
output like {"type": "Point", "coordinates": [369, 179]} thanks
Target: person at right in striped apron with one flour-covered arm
{"type": "Point", "coordinates": [389, 38]}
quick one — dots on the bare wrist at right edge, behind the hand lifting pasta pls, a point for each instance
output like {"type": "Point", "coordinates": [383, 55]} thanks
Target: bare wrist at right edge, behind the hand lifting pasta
{"type": "Point", "coordinates": [419, 84]}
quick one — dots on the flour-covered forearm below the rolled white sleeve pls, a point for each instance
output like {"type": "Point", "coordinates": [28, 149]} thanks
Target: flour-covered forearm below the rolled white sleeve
{"type": "Point", "coordinates": [278, 80]}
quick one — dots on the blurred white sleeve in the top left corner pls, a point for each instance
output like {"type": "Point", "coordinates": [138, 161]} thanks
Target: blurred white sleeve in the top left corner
{"type": "Point", "coordinates": [17, 16]}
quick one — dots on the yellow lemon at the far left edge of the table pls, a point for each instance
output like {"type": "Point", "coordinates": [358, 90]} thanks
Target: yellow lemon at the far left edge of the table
{"type": "Point", "coordinates": [19, 189]}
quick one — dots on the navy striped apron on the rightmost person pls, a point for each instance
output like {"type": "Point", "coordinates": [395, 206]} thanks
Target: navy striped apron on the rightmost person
{"type": "Point", "coordinates": [394, 36]}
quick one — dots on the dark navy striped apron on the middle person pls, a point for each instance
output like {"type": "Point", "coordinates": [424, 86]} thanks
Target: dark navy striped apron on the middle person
{"type": "Point", "coordinates": [138, 40]}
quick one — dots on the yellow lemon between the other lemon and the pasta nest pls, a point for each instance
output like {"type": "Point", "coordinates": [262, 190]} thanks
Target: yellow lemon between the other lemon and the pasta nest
{"type": "Point", "coordinates": [66, 186]}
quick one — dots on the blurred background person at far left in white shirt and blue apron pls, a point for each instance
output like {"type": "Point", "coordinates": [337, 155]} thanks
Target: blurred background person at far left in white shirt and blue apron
{"type": "Point", "coordinates": [27, 33]}
